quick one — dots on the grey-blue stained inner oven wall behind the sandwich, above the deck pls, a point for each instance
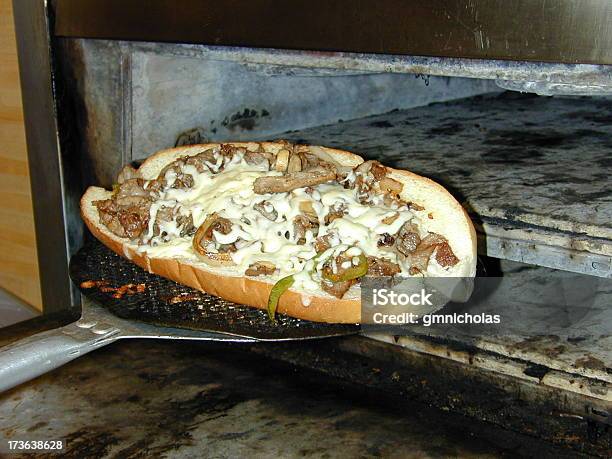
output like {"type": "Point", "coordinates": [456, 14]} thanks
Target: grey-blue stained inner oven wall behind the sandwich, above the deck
{"type": "Point", "coordinates": [129, 100]}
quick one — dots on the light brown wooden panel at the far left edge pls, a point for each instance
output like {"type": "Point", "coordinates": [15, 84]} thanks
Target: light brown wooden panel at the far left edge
{"type": "Point", "coordinates": [18, 258]}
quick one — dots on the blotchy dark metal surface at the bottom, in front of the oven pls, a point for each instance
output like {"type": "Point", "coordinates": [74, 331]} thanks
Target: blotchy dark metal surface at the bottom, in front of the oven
{"type": "Point", "coordinates": [160, 399]}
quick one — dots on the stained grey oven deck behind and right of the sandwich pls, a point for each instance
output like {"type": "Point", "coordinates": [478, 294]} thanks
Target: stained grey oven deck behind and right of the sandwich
{"type": "Point", "coordinates": [532, 171]}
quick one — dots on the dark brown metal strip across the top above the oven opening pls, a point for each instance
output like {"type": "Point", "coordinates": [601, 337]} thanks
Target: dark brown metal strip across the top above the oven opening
{"type": "Point", "coordinates": [555, 31]}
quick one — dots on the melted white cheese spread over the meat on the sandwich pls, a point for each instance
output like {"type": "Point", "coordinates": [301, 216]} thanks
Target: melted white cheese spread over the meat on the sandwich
{"type": "Point", "coordinates": [230, 194]}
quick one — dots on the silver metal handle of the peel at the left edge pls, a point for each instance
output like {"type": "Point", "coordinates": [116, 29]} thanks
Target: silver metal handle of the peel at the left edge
{"type": "Point", "coordinates": [38, 354]}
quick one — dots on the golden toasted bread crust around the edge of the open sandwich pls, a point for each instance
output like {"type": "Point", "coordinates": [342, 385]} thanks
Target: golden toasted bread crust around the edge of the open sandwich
{"type": "Point", "coordinates": [318, 306]}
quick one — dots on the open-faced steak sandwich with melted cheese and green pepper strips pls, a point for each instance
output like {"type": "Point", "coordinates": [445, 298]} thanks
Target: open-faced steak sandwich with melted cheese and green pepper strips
{"type": "Point", "coordinates": [282, 227]}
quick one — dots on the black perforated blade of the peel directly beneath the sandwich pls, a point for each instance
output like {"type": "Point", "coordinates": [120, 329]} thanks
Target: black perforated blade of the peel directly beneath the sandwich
{"type": "Point", "coordinates": [169, 304]}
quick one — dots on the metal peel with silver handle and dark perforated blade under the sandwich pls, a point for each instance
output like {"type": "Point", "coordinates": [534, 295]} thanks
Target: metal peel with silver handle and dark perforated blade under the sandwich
{"type": "Point", "coordinates": [150, 314]}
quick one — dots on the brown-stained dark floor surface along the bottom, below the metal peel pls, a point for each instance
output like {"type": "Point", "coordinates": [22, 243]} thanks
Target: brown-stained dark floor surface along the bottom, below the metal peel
{"type": "Point", "coordinates": [162, 399]}
